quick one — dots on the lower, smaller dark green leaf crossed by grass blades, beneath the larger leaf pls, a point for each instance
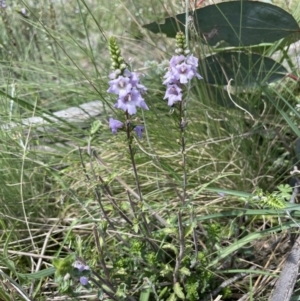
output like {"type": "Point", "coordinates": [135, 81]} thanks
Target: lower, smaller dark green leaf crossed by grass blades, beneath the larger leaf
{"type": "Point", "coordinates": [246, 69]}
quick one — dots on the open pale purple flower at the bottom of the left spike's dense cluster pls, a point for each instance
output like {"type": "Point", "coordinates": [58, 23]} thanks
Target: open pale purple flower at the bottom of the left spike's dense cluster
{"type": "Point", "coordinates": [130, 101]}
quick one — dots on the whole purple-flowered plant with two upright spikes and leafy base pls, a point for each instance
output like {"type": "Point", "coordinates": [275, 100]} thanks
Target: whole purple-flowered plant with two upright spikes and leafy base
{"type": "Point", "coordinates": [130, 92]}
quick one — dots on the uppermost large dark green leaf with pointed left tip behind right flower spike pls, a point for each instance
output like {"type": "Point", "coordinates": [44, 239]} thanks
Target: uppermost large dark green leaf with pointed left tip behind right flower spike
{"type": "Point", "coordinates": [237, 23]}
